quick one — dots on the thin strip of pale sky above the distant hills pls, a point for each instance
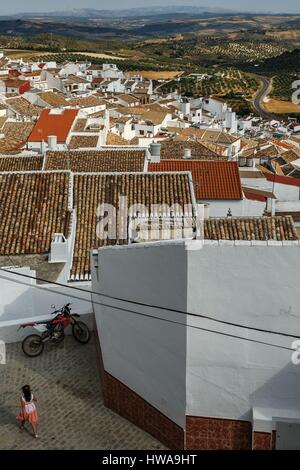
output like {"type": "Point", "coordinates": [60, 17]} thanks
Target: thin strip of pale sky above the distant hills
{"type": "Point", "coordinates": [274, 6]}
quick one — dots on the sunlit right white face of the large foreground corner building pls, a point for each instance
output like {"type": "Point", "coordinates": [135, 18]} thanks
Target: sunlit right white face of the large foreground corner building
{"type": "Point", "coordinates": [249, 285]}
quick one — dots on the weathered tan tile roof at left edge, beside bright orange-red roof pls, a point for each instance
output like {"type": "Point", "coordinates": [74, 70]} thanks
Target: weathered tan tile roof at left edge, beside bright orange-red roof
{"type": "Point", "coordinates": [15, 136]}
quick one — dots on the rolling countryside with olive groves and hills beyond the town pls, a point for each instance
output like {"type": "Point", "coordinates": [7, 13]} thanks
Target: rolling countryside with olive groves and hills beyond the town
{"type": "Point", "coordinates": [196, 52]}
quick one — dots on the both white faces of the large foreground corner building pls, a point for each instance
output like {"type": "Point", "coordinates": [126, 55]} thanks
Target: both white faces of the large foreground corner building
{"type": "Point", "coordinates": [189, 370]}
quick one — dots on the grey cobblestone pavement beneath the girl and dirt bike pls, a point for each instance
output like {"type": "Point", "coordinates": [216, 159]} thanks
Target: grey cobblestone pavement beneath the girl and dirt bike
{"type": "Point", "coordinates": [65, 379]}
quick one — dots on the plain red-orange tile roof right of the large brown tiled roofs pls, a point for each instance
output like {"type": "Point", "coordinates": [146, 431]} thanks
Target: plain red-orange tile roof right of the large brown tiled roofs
{"type": "Point", "coordinates": [212, 179]}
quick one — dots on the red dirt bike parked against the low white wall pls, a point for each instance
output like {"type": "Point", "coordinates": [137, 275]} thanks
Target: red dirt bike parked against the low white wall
{"type": "Point", "coordinates": [54, 331]}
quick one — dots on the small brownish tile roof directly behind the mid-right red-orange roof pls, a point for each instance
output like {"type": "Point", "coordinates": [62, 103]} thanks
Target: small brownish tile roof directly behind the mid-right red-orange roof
{"type": "Point", "coordinates": [173, 149]}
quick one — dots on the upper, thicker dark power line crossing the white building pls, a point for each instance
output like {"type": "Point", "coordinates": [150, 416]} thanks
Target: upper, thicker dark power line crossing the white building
{"type": "Point", "coordinates": [168, 309]}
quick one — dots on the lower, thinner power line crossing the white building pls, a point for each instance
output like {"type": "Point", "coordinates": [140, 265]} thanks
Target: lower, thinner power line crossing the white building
{"type": "Point", "coordinates": [222, 333]}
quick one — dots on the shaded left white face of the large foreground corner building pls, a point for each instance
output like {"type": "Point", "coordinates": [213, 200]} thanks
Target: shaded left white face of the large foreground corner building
{"type": "Point", "coordinates": [147, 355]}
